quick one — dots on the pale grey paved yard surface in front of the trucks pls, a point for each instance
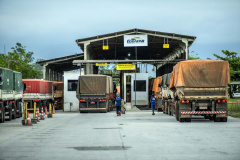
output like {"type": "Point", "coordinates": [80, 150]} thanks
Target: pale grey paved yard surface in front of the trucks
{"type": "Point", "coordinates": [137, 135]}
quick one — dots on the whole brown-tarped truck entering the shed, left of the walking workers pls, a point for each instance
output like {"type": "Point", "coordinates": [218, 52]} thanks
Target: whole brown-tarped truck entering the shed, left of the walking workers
{"type": "Point", "coordinates": [95, 93]}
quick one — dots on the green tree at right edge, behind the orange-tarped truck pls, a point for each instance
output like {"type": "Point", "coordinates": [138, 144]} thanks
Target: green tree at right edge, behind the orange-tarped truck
{"type": "Point", "coordinates": [234, 63]}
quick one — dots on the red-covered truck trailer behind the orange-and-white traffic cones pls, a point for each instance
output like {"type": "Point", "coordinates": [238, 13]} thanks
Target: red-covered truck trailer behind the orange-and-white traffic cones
{"type": "Point", "coordinates": [39, 91]}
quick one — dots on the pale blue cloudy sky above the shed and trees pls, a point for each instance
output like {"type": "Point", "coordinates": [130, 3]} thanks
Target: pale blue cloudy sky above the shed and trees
{"type": "Point", "coordinates": [49, 28]}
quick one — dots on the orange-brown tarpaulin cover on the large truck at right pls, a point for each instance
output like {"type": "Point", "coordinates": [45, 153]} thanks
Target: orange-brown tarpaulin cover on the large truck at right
{"type": "Point", "coordinates": [200, 73]}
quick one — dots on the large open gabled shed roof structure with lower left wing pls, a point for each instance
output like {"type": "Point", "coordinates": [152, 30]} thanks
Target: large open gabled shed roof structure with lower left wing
{"type": "Point", "coordinates": [163, 51]}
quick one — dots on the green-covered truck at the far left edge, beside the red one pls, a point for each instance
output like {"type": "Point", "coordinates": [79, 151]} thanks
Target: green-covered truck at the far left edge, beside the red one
{"type": "Point", "coordinates": [11, 90]}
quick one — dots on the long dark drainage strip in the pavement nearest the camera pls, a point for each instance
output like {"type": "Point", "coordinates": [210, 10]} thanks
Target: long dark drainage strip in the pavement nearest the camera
{"type": "Point", "coordinates": [100, 148]}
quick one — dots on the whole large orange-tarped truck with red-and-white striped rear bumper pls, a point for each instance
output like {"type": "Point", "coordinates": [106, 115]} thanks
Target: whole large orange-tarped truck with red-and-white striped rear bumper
{"type": "Point", "coordinates": [200, 88]}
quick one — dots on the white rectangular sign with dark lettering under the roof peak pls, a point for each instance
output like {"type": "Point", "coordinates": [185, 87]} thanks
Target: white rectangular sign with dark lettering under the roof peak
{"type": "Point", "coordinates": [135, 40]}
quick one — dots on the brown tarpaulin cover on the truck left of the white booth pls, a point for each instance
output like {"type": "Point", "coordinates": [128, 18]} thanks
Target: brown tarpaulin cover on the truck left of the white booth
{"type": "Point", "coordinates": [92, 84]}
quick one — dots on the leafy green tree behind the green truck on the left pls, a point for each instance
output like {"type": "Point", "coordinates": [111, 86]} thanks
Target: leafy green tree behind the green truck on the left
{"type": "Point", "coordinates": [20, 61]}
